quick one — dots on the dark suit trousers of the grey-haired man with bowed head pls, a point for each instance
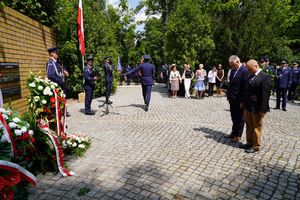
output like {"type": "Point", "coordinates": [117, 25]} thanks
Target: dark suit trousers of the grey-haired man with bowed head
{"type": "Point", "coordinates": [237, 118]}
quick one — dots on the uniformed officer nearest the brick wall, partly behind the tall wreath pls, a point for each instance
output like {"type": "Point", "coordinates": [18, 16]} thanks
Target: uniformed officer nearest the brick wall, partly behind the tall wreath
{"type": "Point", "coordinates": [54, 70]}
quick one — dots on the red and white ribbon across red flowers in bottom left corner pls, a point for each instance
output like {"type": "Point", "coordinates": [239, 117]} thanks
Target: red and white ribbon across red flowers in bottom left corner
{"type": "Point", "coordinates": [13, 167]}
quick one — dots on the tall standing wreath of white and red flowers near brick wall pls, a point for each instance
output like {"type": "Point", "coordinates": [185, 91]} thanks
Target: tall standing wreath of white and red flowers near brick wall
{"type": "Point", "coordinates": [42, 100]}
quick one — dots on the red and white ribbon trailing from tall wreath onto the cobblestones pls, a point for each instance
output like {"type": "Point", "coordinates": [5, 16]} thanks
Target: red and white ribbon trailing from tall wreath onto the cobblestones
{"type": "Point", "coordinates": [58, 151]}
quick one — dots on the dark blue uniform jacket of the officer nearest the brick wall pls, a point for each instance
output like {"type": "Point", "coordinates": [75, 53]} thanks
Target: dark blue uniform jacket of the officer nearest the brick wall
{"type": "Point", "coordinates": [54, 72]}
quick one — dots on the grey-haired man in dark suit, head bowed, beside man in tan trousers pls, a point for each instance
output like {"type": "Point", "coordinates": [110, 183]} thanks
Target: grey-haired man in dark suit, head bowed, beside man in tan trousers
{"type": "Point", "coordinates": [235, 96]}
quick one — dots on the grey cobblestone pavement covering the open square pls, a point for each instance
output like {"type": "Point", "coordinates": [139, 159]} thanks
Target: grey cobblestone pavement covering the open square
{"type": "Point", "coordinates": [176, 150]}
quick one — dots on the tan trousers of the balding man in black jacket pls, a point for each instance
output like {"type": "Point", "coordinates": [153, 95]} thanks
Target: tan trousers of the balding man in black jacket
{"type": "Point", "coordinates": [254, 123]}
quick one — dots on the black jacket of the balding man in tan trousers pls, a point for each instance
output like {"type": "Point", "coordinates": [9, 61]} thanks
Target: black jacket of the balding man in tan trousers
{"type": "Point", "coordinates": [257, 92]}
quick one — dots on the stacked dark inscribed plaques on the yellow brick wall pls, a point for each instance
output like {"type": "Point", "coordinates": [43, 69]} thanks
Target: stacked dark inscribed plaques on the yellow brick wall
{"type": "Point", "coordinates": [10, 81]}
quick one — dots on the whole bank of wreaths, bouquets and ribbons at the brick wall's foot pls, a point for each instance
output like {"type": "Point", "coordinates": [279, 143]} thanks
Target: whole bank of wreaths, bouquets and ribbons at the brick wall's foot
{"type": "Point", "coordinates": [36, 142]}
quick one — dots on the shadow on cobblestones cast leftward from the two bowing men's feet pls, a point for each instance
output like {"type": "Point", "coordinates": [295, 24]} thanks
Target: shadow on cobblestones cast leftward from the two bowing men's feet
{"type": "Point", "coordinates": [218, 136]}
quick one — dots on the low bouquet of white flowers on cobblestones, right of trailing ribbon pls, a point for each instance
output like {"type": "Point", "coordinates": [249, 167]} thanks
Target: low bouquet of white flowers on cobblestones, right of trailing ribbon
{"type": "Point", "coordinates": [75, 144]}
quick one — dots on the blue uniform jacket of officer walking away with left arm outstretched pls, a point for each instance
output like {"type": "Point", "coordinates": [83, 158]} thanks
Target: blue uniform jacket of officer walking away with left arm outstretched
{"type": "Point", "coordinates": [147, 71]}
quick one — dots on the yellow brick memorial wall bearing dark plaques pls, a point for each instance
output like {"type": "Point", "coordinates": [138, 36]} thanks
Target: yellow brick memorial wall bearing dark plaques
{"type": "Point", "coordinates": [23, 49]}
